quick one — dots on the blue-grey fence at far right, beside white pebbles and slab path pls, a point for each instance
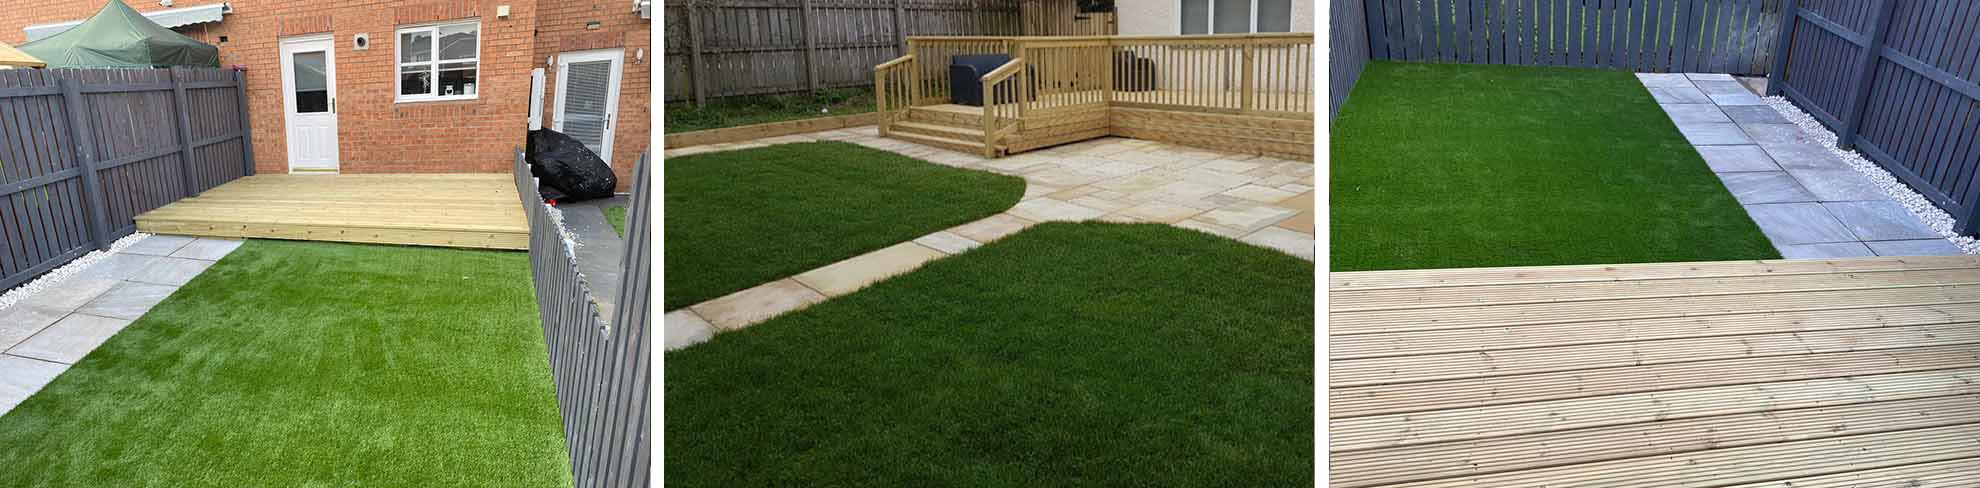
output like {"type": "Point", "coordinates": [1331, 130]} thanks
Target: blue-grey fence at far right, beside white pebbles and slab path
{"type": "Point", "coordinates": [1894, 80]}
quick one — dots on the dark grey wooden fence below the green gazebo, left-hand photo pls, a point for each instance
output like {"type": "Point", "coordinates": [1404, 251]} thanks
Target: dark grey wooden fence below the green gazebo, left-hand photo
{"type": "Point", "coordinates": [84, 152]}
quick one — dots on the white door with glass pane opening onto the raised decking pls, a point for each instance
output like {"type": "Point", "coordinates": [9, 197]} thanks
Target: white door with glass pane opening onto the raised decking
{"type": "Point", "coordinates": [310, 104]}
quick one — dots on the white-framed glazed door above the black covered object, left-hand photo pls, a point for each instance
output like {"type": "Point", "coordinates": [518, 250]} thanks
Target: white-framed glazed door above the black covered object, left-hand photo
{"type": "Point", "coordinates": [587, 98]}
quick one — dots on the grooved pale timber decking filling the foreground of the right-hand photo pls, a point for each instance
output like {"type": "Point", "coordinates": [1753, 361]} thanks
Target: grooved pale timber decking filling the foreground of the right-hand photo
{"type": "Point", "coordinates": [1733, 374]}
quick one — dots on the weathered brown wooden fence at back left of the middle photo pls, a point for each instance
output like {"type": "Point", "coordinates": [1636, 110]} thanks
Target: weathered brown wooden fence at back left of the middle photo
{"type": "Point", "coordinates": [720, 49]}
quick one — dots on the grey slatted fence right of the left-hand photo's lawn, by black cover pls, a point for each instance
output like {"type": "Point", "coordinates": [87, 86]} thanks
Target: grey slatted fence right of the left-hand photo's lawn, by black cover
{"type": "Point", "coordinates": [603, 368]}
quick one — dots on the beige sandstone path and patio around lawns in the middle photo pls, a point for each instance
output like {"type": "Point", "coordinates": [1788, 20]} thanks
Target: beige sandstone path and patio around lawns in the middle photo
{"type": "Point", "coordinates": [1262, 201]}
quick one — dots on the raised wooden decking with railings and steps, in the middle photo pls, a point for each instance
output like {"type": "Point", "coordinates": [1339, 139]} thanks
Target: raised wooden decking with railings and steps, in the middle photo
{"type": "Point", "coordinates": [1240, 92]}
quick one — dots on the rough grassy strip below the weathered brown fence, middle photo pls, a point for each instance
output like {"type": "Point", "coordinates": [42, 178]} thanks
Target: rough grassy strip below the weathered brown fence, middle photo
{"type": "Point", "coordinates": [732, 112]}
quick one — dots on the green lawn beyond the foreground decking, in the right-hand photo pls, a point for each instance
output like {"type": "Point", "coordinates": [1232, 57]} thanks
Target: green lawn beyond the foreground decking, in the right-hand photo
{"type": "Point", "coordinates": [1440, 166]}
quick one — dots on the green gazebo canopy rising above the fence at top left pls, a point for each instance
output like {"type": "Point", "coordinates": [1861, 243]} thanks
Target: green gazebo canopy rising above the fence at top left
{"type": "Point", "coordinates": [120, 37]}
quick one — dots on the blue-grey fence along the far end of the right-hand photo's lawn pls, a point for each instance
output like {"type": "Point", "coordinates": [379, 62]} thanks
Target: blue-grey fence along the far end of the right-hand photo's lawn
{"type": "Point", "coordinates": [1720, 37]}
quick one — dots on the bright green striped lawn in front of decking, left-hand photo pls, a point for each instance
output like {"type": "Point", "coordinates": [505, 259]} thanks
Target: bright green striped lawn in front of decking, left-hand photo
{"type": "Point", "coordinates": [310, 364]}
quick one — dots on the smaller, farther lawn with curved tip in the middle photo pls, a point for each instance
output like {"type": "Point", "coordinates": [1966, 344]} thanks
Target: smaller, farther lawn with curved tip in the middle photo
{"type": "Point", "coordinates": [749, 217]}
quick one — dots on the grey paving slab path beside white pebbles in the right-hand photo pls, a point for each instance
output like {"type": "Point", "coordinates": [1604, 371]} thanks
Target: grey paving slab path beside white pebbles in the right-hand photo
{"type": "Point", "coordinates": [1805, 199]}
